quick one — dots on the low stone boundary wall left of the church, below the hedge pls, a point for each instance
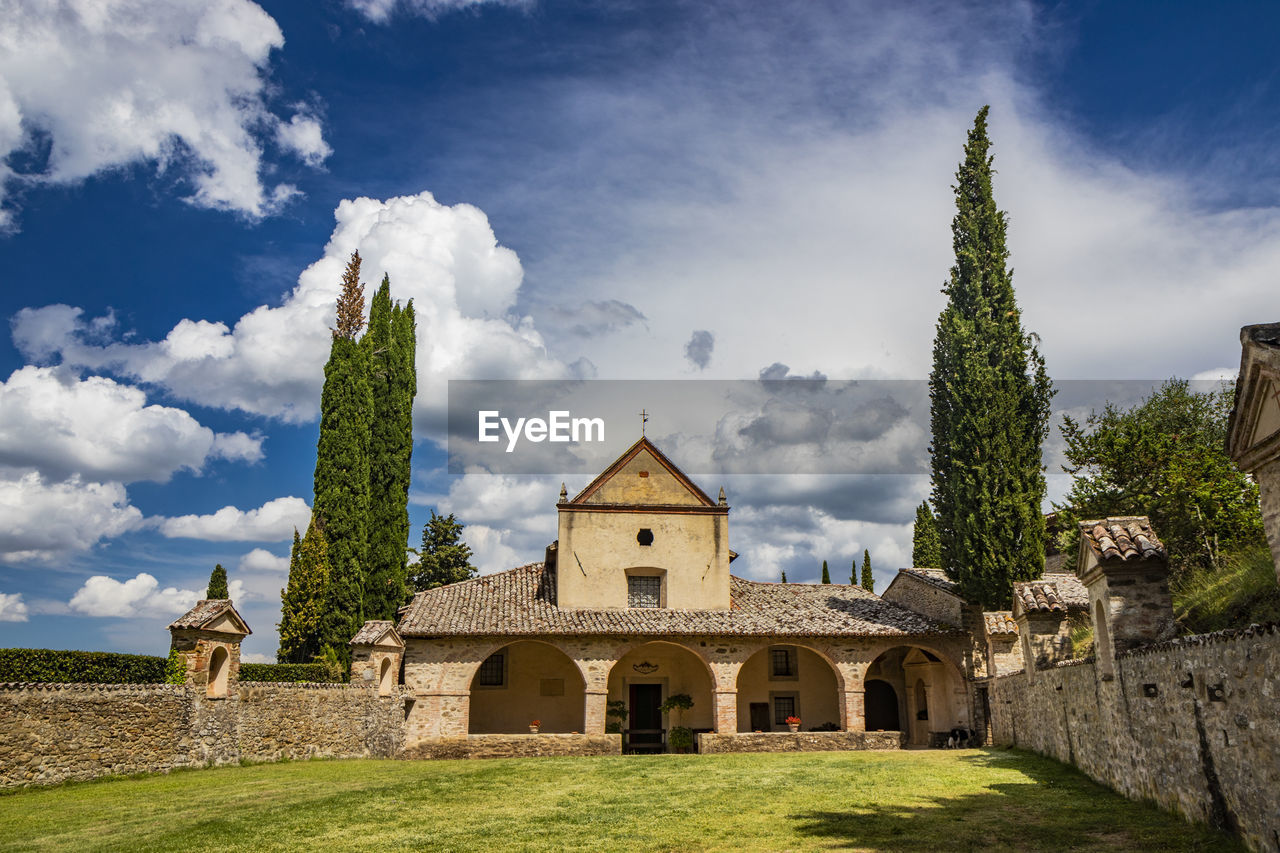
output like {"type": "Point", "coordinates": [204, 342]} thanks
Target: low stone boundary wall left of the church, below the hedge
{"type": "Point", "coordinates": [53, 733]}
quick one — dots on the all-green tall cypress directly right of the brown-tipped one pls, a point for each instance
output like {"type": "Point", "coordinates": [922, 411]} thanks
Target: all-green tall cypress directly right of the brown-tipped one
{"type": "Point", "coordinates": [388, 349]}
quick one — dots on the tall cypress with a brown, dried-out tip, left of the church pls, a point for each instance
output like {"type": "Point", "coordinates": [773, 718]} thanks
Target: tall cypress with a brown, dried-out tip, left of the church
{"type": "Point", "coordinates": [342, 466]}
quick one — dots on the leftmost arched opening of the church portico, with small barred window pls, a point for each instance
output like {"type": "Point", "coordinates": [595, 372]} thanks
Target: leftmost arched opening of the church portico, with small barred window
{"type": "Point", "coordinates": [538, 682]}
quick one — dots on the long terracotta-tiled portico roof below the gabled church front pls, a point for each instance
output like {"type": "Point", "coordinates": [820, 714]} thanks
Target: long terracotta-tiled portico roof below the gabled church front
{"type": "Point", "coordinates": [522, 603]}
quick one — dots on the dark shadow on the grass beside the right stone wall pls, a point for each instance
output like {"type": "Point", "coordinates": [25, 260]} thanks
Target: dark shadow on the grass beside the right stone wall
{"type": "Point", "coordinates": [1053, 808]}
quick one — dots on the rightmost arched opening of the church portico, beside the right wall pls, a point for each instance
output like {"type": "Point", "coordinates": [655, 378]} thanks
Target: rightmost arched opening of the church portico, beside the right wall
{"type": "Point", "coordinates": [930, 691]}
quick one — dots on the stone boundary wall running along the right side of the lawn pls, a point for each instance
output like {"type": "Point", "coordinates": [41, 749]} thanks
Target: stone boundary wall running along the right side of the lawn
{"type": "Point", "coordinates": [1191, 724]}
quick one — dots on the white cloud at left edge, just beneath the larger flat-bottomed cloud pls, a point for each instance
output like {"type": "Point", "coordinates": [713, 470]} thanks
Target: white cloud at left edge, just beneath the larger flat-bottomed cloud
{"type": "Point", "coordinates": [42, 521]}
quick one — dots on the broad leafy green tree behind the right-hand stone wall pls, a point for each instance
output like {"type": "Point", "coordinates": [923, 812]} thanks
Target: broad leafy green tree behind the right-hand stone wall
{"type": "Point", "coordinates": [1164, 458]}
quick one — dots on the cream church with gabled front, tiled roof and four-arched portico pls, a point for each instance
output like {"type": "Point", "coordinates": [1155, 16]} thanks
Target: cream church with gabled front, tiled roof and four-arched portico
{"type": "Point", "coordinates": [636, 604]}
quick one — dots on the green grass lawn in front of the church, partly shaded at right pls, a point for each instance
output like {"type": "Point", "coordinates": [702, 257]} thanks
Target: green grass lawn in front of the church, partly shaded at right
{"type": "Point", "coordinates": [863, 801]}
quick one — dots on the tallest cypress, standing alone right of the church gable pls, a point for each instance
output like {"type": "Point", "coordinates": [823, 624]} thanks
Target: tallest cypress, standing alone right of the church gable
{"type": "Point", "coordinates": [990, 403]}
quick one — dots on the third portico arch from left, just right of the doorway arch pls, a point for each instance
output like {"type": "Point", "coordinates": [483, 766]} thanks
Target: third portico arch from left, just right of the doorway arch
{"type": "Point", "coordinates": [785, 679]}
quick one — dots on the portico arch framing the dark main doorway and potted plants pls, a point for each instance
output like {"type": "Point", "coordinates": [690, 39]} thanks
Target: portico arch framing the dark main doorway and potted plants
{"type": "Point", "coordinates": [646, 677]}
